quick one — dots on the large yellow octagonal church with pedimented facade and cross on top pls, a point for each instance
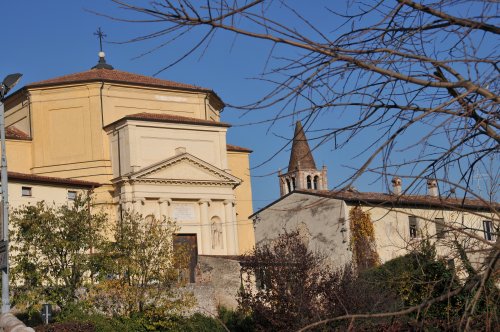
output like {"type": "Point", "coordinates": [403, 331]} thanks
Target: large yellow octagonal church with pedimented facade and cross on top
{"type": "Point", "coordinates": [144, 144]}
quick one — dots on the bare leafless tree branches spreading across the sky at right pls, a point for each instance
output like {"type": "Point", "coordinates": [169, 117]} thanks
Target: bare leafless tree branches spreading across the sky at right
{"type": "Point", "coordinates": [412, 76]}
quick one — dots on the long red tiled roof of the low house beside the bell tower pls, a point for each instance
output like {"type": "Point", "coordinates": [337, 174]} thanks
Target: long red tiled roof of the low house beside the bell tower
{"type": "Point", "coordinates": [406, 200]}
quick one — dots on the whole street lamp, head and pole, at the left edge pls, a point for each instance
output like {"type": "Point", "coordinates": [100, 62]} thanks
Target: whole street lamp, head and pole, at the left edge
{"type": "Point", "coordinates": [7, 84]}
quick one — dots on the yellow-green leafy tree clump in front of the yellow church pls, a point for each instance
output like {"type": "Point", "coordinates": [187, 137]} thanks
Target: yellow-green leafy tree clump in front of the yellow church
{"type": "Point", "coordinates": [64, 254]}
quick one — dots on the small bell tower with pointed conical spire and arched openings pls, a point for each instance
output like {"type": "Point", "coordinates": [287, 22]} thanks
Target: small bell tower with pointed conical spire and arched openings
{"type": "Point", "coordinates": [302, 173]}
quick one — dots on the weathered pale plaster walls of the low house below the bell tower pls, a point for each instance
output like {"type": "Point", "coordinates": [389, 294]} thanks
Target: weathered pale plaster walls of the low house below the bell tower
{"type": "Point", "coordinates": [322, 218]}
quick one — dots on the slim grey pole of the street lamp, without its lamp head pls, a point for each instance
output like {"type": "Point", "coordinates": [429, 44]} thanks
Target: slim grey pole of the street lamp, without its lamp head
{"type": "Point", "coordinates": [5, 214]}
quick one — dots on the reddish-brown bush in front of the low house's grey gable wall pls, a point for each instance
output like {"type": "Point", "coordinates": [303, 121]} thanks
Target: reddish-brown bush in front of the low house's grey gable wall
{"type": "Point", "coordinates": [288, 276]}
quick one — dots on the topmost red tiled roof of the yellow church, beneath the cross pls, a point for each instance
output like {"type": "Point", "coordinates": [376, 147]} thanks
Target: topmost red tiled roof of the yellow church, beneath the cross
{"type": "Point", "coordinates": [117, 76]}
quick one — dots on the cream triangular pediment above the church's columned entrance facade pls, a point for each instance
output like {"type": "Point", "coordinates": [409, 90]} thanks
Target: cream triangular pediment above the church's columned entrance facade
{"type": "Point", "coordinates": [185, 168]}
